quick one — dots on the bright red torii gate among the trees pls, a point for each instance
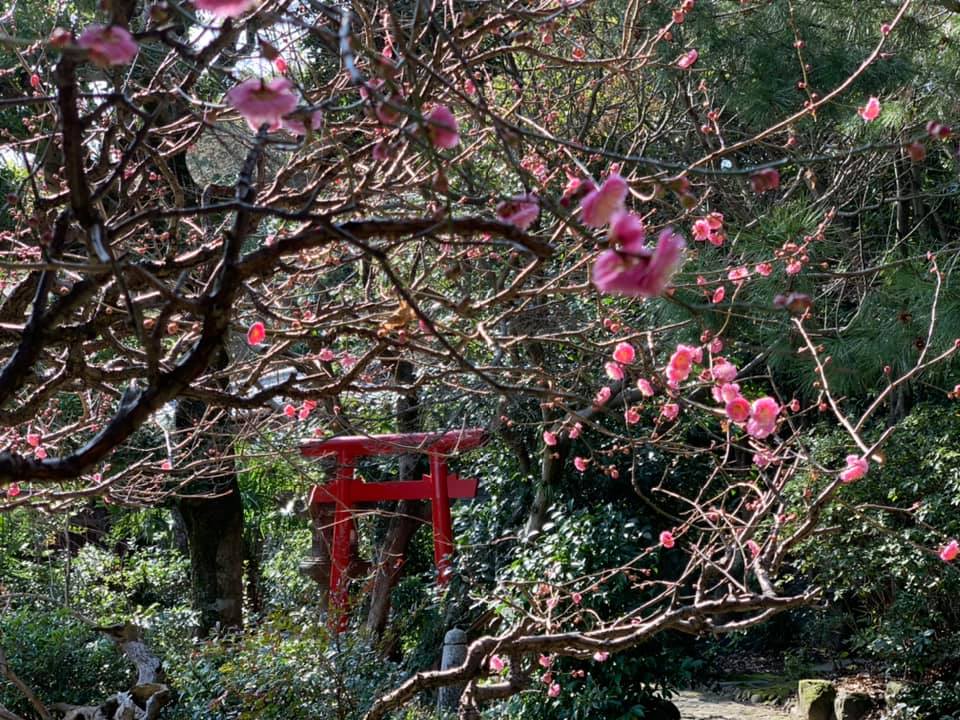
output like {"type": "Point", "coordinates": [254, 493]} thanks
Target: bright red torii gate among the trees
{"type": "Point", "coordinates": [439, 486]}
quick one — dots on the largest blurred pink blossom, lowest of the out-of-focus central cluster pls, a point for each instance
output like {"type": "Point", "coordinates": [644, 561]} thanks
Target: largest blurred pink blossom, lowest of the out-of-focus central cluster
{"type": "Point", "coordinates": [635, 270]}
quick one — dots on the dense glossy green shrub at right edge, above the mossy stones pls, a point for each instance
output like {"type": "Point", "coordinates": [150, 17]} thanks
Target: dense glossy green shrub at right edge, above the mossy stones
{"type": "Point", "coordinates": [880, 564]}
